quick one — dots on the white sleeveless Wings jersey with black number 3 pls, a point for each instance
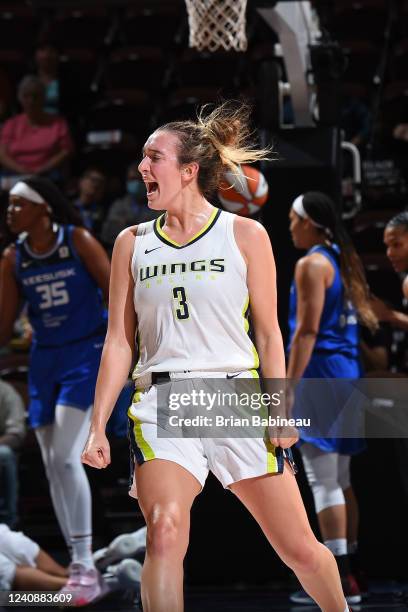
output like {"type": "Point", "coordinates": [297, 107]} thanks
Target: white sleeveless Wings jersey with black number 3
{"type": "Point", "coordinates": [191, 300]}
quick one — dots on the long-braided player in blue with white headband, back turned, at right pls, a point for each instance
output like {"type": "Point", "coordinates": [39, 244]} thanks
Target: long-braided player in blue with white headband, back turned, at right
{"type": "Point", "coordinates": [328, 295]}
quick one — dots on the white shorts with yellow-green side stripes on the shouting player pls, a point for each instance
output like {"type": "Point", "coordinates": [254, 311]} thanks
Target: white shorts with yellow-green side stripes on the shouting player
{"type": "Point", "coordinates": [229, 458]}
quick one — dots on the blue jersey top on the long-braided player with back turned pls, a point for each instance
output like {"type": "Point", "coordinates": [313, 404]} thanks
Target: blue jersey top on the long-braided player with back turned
{"type": "Point", "coordinates": [338, 330]}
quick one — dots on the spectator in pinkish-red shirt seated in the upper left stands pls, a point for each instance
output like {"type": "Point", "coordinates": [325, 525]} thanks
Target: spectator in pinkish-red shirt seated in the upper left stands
{"type": "Point", "coordinates": [34, 142]}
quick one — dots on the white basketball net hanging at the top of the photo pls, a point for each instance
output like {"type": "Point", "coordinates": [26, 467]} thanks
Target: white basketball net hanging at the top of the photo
{"type": "Point", "coordinates": [217, 23]}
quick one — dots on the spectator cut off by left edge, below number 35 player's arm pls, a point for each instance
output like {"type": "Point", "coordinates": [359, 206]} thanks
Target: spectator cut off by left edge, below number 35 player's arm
{"type": "Point", "coordinates": [12, 432]}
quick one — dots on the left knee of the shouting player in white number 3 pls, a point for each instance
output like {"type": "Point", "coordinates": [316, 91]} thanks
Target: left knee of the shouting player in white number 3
{"type": "Point", "coordinates": [163, 531]}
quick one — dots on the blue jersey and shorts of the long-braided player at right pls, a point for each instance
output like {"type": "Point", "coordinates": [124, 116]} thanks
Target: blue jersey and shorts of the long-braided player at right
{"type": "Point", "coordinates": [335, 356]}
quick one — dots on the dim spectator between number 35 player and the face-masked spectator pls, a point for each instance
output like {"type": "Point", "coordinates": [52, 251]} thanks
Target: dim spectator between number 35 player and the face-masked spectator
{"type": "Point", "coordinates": [90, 200]}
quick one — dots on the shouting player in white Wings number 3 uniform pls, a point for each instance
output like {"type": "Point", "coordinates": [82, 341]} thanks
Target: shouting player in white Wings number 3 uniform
{"type": "Point", "coordinates": [195, 327]}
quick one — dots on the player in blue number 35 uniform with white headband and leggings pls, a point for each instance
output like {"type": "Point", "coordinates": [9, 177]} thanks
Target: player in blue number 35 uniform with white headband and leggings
{"type": "Point", "coordinates": [62, 273]}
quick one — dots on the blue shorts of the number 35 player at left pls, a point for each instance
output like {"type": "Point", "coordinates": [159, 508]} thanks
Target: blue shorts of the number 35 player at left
{"type": "Point", "coordinates": [62, 375]}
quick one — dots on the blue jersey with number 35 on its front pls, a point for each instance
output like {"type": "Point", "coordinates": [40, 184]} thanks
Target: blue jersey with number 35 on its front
{"type": "Point", "coordinates": [64, 302]}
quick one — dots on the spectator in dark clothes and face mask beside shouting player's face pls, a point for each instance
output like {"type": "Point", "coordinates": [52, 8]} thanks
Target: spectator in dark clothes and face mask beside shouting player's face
{"type": "Point", "coordinates": [131, 209]}
